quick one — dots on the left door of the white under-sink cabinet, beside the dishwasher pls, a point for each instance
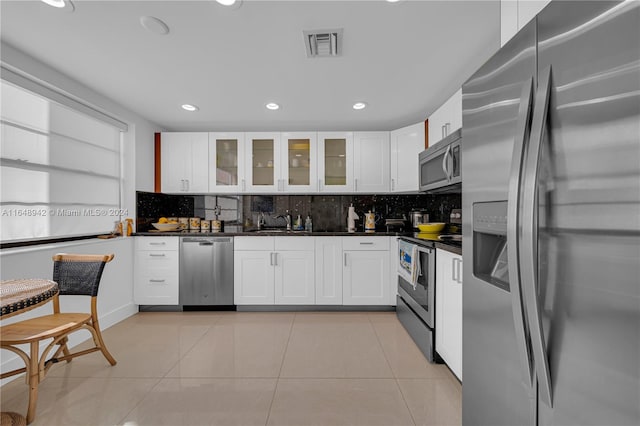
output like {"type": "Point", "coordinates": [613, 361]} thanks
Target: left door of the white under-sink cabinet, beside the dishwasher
{"type": "Point", "coordinates": [253, 278]}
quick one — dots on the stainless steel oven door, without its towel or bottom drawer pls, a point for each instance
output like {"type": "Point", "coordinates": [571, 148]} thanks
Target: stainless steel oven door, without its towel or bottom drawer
{"type": "Point", "coordinates": [421, 296]}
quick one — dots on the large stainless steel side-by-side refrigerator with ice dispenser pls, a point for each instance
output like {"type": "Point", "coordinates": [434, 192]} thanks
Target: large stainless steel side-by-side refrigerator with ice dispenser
{"type": "Point", "coordinates": [551, 200]}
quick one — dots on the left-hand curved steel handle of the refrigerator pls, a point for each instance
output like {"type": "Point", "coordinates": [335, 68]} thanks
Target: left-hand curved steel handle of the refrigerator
{"type": "Point", "coordinates": [513, 225]}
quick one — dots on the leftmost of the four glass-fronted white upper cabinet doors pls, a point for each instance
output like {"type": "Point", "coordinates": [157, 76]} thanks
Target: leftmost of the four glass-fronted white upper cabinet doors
{"type": "Point", "coordinates": [226, 162]}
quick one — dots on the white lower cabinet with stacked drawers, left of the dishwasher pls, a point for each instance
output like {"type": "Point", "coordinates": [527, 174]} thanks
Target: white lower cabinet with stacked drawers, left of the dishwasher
{"type": "Point", "coordinates": [156, 271]}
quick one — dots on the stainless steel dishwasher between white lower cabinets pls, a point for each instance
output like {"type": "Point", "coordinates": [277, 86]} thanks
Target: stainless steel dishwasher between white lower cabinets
{"type": "Point", "coordinates": [206, 271]}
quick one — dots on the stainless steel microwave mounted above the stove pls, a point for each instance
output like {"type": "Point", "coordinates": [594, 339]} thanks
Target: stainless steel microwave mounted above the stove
{"type": "Point", "coordinates": [440, 165]}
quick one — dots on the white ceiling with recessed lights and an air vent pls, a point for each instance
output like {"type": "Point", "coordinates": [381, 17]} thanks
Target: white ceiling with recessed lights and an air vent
{"type": "Point", "coordinates": [402, 59]}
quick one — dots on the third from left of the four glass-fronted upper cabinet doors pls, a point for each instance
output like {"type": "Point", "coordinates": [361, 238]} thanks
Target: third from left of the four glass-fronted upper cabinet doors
{"type": "Point", "coordinates": [299, 162]}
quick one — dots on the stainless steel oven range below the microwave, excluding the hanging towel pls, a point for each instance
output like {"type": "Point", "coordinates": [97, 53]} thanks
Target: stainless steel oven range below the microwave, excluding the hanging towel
{"type": "Point", "coordinates": [416, 304]}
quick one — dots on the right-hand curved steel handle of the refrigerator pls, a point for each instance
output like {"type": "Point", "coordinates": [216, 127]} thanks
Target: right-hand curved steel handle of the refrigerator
{"type": "Point", "coordinates": [529, 247]}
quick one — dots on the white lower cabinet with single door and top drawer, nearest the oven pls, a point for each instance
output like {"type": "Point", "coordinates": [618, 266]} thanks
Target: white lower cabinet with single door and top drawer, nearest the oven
{"type": "Point", "coordinates": [365, 276]}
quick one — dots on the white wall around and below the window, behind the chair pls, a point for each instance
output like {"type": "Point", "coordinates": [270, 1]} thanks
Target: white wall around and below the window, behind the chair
{"type": "Point", "coordinates": [115, 299]}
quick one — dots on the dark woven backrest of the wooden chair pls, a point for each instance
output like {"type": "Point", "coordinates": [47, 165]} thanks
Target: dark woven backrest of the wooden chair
{"type": "Point", "coordinates": [79, 274]}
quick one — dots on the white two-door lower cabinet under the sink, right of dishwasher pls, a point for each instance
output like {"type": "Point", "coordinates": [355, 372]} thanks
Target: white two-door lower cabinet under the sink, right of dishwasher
{"type": "Point", "coordinates": [274, 270]}
